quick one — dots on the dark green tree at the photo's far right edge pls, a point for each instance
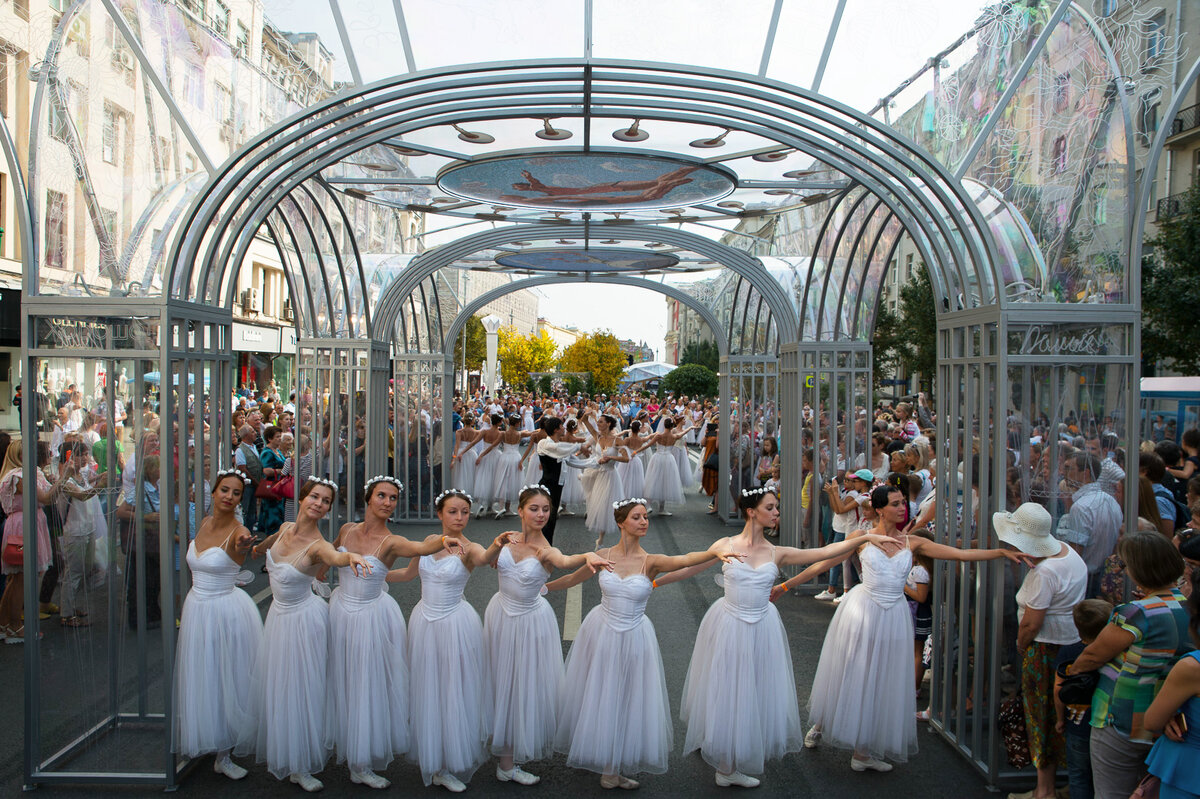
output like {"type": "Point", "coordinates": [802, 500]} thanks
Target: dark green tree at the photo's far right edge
{"type": "Point", "coordinates": [1171, 291]}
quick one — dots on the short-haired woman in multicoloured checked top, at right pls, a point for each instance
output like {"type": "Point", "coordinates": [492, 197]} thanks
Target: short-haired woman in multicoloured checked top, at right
{"type": "Point", "coordinates": [1133, 653]}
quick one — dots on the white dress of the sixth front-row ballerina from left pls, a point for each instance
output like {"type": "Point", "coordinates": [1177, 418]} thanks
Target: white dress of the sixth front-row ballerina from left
{"type": "Point", "coordinates": [614, 714]}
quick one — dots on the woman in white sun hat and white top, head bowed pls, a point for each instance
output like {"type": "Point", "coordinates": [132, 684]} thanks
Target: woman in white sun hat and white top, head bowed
{"type": "Point", "coordinates": [1045, 605]}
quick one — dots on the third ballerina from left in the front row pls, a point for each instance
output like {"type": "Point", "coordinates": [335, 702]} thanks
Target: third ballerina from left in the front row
{"type": "Point", "coordinates": [367, 713]}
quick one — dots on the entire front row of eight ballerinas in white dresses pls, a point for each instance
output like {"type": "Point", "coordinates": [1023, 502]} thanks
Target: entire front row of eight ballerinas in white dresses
{"type": "Point", "coordinates": [452, 690]}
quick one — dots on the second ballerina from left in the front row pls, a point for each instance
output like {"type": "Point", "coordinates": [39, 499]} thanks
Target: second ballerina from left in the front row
{"type": "Point", "coordinates": [291, 678]}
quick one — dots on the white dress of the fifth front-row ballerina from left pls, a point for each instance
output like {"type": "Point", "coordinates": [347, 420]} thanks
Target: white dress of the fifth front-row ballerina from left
{"type": "Point", "coordinates": [525, 652]}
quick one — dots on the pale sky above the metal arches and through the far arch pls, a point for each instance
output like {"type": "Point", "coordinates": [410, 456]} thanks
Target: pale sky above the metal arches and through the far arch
{"type": "Point", "coordinates": [879, 45]}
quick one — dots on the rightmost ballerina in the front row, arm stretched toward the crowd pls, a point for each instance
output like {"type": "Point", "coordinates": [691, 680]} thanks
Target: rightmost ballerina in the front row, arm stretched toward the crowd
{"type": "Point", "coordinates": [862, 694]}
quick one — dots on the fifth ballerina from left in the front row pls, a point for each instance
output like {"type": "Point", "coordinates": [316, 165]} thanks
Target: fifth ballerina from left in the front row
{"type": "Point", "coordinates": [523, 640]}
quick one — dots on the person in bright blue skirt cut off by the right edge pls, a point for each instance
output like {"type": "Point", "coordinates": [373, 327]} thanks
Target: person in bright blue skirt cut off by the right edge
{"type": "Point", "coordinates": [1175, 758]}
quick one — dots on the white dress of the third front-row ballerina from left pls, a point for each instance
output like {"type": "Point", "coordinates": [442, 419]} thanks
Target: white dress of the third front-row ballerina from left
{"type": "Point", "coordinates": [367, 710]}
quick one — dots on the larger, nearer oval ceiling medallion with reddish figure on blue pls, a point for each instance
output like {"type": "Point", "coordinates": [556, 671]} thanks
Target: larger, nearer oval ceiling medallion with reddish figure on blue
{"type": "Point", "coordinates": [587, 182]}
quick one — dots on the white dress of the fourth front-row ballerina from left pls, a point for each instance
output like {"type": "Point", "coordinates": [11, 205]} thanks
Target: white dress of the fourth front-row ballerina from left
{"type": "Point", "coordinates": [452, 696]}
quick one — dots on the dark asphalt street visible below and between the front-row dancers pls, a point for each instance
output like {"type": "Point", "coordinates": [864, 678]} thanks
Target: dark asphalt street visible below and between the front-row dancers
{"type": "Point", "coordinates": [676, 611]}
